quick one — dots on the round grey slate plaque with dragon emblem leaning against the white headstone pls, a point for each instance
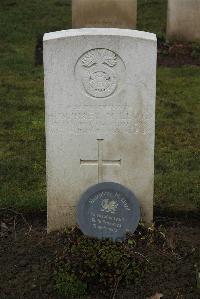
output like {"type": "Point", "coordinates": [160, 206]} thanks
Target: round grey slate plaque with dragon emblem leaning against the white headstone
{"type": "Point", "coordinates": [108, 211]}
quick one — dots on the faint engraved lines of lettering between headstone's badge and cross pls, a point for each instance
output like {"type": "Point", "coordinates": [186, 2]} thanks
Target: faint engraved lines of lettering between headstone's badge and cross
{"type": "Point", "coordinates": [86, 119]}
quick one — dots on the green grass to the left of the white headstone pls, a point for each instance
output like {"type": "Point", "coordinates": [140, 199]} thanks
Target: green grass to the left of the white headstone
{"type": "Point", "coordinates": [22, 155]}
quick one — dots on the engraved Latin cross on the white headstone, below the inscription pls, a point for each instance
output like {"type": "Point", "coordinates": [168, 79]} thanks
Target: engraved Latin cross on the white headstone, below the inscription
{"type": "Point", "coordinates": [100, 162]}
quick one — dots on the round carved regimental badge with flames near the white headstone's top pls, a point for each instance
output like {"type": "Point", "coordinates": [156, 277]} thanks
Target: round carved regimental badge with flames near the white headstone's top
{"type": "Point", "coordinates": [101, 72]}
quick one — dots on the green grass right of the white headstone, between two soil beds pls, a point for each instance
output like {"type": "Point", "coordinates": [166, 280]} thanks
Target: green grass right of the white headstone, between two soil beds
{"type": "Point", "coordinates": [177, 139]}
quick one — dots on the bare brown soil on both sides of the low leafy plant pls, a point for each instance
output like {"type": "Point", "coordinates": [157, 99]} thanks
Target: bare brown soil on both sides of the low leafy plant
{"type": "Point", "coordinates": [27, 257]}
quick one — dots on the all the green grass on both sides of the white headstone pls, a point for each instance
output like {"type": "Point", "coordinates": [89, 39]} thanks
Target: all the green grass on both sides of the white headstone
{"type": "Point", "coordinates": [22, 154]}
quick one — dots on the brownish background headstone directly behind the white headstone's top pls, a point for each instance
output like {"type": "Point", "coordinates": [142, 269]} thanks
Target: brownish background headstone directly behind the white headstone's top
{"type": "Point", "coordinates": [104, 13]}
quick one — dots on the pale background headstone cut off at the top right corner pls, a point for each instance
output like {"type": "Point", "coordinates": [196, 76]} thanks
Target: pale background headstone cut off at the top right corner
{"type": "Point", "coordinates": [183, 20]}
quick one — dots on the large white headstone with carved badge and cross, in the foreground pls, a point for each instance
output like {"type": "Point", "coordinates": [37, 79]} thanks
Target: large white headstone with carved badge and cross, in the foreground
{"type": "Point", "coordinates": [100, 88]}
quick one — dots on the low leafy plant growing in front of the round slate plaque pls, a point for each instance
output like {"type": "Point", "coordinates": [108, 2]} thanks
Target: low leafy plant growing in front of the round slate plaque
{"type": "Point", "coordinates": [104, 265]}
